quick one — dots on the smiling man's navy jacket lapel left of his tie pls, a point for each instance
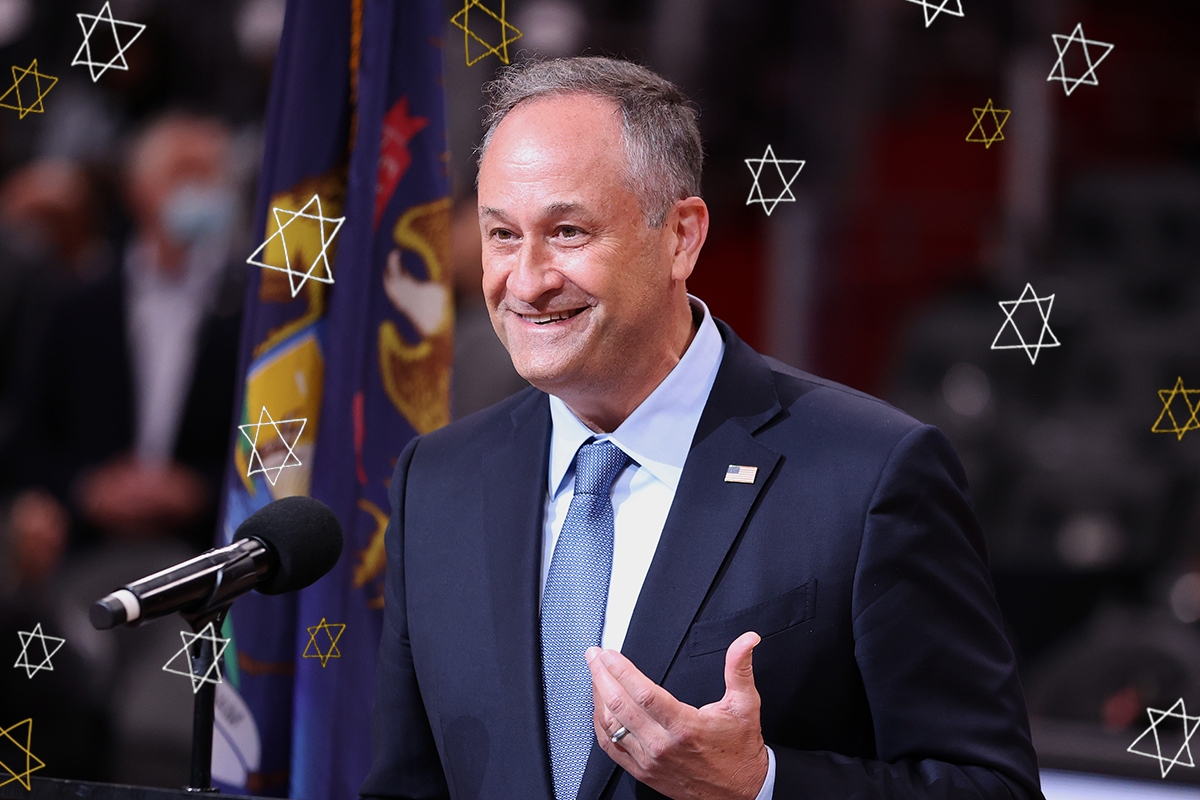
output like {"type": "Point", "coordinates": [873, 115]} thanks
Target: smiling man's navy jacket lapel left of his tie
{"type": "Point", "coordinates": [515, 492]}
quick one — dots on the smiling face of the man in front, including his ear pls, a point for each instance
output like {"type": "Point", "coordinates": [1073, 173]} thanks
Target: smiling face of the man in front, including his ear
{"type": "Point", "coordinates": [589, 298]}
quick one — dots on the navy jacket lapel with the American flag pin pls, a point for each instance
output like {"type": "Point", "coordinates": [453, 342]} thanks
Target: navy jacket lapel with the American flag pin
{"type": "Point", "coordinates": [705, 521]}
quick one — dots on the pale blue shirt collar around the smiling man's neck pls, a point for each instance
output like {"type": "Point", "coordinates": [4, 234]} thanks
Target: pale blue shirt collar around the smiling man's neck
{"type": "Point", "coordinates": [658, 435]}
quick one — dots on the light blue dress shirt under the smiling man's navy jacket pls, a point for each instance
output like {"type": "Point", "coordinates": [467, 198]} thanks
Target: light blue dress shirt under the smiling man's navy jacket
{"type": "Point", "coordinates": [657, 437]}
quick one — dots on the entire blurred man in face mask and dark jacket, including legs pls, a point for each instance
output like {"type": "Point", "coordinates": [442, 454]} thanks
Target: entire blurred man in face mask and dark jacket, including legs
{"type": "Point", "coordinates": [125, 420]}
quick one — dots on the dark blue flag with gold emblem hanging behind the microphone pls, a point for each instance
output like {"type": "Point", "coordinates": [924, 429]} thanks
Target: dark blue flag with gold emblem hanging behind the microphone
{"type": "Point", "coordinates": [346, 356]}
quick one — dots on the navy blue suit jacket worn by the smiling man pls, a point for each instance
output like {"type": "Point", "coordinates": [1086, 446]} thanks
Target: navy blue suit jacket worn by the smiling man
{"type": "Point", "coordinates": [884, 667]}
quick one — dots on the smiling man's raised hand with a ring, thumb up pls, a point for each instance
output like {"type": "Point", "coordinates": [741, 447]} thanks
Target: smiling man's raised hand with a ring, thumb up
{"type": "Point", "coordinates": [687, 754]}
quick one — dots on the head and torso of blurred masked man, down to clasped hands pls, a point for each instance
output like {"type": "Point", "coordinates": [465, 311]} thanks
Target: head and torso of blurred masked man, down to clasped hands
{"type": "Point", "coordinates": [124, 418]}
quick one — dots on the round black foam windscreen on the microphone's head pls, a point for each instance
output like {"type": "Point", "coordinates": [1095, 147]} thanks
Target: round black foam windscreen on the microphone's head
{"type": "Point", "coordinates": [305, 537]}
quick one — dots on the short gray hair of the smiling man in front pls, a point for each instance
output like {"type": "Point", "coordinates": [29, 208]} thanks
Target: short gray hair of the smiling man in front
{"type": "Point", "coordinates": [661, 133]}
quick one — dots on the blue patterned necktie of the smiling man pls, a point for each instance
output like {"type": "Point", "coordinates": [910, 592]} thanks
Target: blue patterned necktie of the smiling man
{"type": "Point", "coordinates": [573, 610]}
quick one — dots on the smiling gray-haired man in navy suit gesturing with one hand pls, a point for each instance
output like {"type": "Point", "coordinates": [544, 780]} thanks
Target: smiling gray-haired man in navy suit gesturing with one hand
{"type": "Point", "coordinates": [578, 576]}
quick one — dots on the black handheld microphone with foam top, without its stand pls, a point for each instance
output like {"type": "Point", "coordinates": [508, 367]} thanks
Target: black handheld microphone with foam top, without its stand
{"type": "Point", "coordinates": [283, 548]}
